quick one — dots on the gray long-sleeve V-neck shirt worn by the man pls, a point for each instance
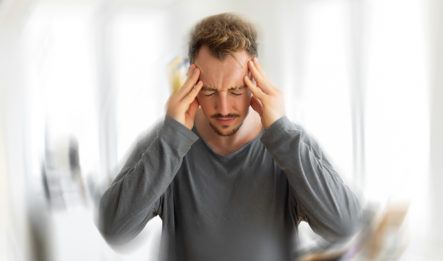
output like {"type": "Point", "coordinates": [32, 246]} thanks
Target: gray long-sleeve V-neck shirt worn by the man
{"type": "Point", "coordinates": [242, 206]}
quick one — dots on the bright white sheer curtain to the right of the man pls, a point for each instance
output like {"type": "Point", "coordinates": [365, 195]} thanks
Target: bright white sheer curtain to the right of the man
{"type": "Point", "coordinates": [363, 91]}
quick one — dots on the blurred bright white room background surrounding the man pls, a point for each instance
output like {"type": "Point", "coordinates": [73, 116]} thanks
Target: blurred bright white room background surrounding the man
{"type": "Point", "coordinates": [80, 80]}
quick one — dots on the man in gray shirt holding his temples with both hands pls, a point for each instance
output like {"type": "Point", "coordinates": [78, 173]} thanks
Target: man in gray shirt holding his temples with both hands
{"type": "Point", "coordinates": [229, 183]}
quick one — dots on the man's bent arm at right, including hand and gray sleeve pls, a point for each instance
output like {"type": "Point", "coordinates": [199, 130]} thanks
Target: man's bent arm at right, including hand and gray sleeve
{"type": "Point", "coordinates": [330, 208]}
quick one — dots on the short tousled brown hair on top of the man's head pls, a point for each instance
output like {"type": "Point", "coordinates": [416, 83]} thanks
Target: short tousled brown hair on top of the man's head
{"type": "Point", "coordinates": [223, 34]}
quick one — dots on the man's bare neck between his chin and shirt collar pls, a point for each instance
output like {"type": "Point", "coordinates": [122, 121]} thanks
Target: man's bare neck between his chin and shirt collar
{"type": "Point", "coordinates": [250, 128]}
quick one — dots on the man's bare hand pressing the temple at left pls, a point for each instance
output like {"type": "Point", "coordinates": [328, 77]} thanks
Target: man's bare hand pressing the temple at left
{"type": "Point", "coordinates": [183, 104]}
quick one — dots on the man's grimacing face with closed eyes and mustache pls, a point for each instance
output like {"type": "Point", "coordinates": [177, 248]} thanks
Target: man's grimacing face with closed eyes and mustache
{"type": "Point", "coordinates": [224, 97]}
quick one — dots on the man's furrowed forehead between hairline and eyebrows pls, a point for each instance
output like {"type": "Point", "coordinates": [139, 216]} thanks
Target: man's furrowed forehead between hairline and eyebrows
{"type": "Point", "coordinates": [222, 74]}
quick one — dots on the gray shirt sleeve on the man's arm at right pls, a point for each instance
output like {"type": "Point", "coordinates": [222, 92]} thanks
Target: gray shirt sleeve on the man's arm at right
{"type": "Point", "coordinates": [330, 207]}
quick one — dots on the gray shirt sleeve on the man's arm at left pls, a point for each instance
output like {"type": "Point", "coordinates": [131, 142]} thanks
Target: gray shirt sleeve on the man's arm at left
{"type": "Point", "coordinates": [134, 196]}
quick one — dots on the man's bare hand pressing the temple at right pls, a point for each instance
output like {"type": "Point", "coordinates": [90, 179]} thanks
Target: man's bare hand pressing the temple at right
{"type": "Point", "coordinates": [267, 100]}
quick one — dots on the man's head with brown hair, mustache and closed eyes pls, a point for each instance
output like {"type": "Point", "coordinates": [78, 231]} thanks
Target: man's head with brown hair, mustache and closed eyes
{"type": "Point", "coordinates": [221, 45]}
